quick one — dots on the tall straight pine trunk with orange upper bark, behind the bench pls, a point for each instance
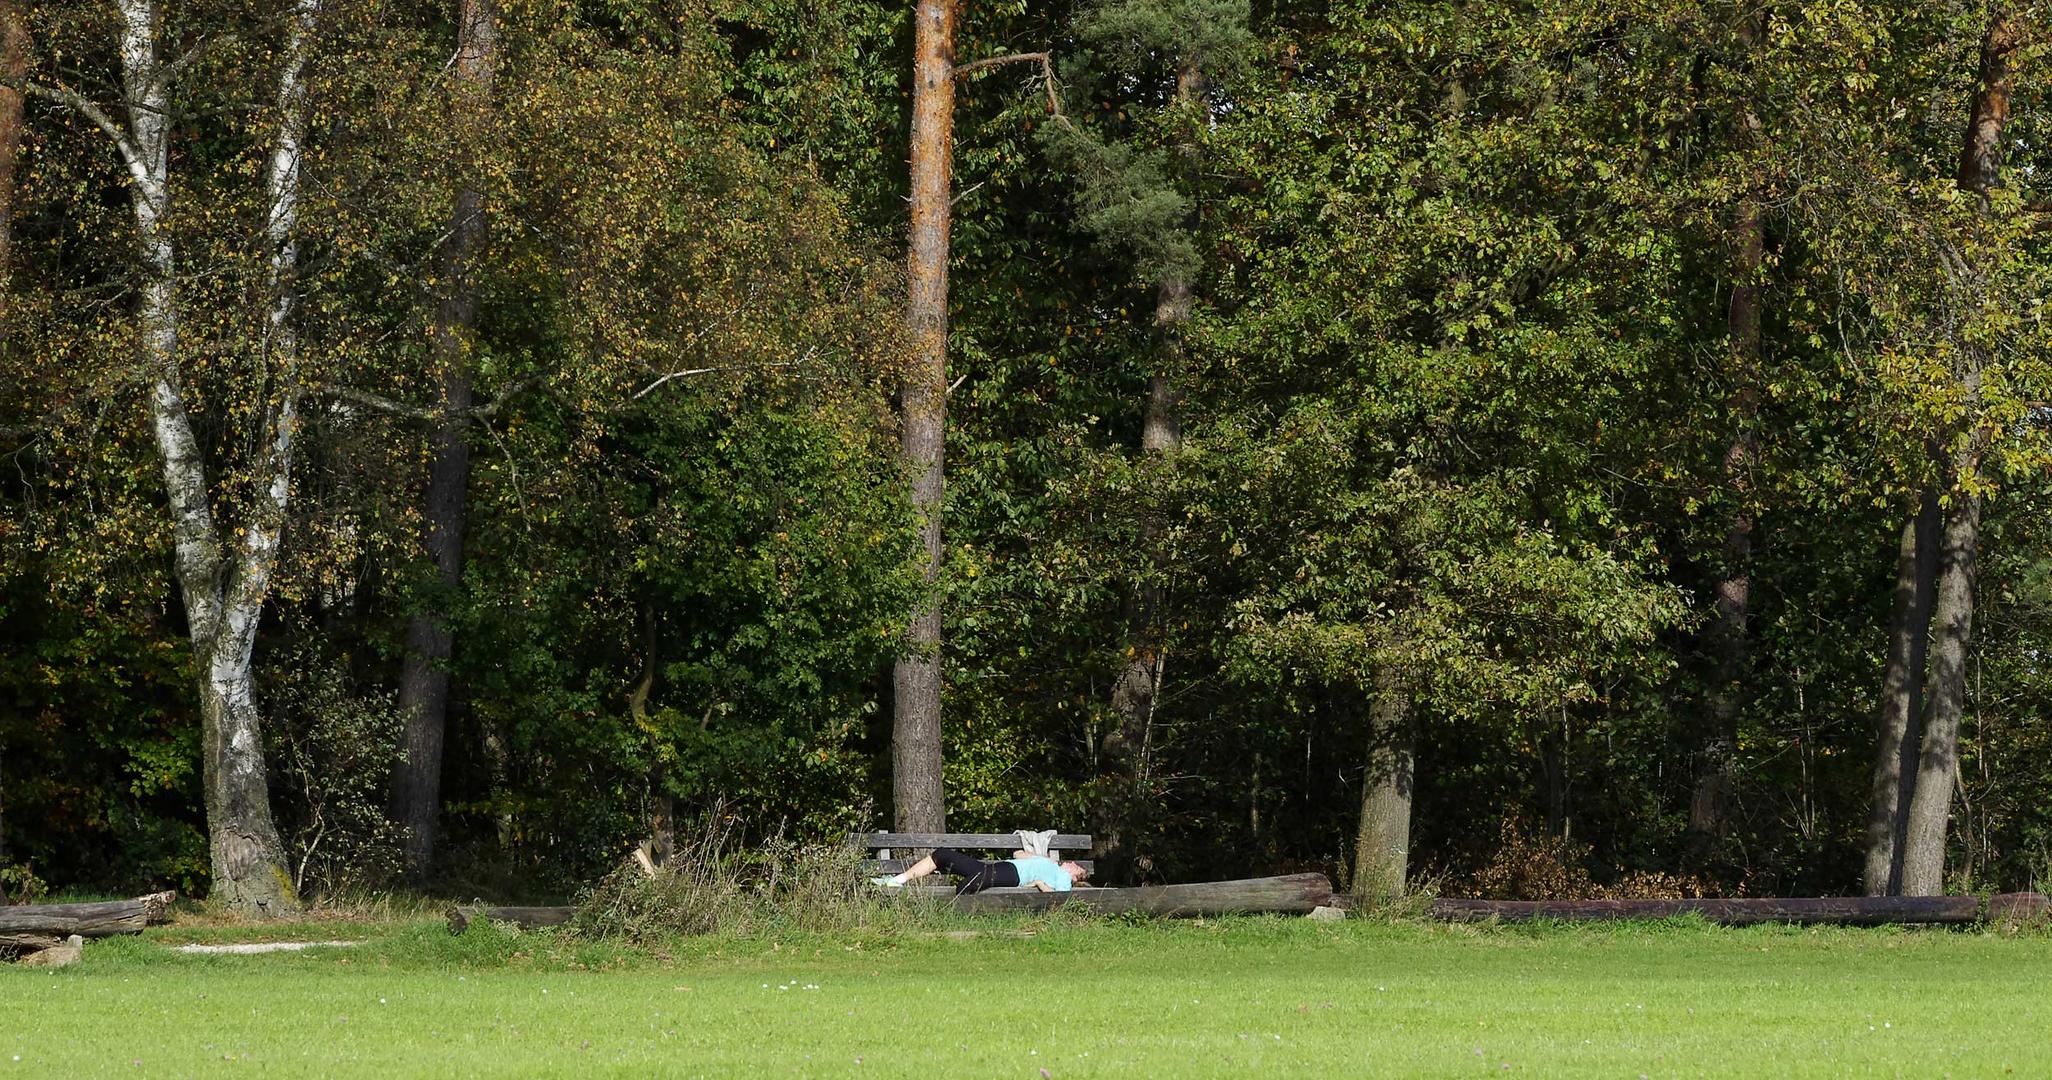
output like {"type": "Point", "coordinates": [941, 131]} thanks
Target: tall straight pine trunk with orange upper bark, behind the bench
{"type": "Point", "coordinates": [924, 414]}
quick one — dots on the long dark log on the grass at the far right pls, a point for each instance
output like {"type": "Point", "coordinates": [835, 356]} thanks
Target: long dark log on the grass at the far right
{"type": "Point", "coordinates": [1753, 911]}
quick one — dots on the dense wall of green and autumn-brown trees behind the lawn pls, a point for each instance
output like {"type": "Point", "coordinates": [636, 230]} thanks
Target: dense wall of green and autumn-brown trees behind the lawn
{"type": "Point", "coordinates": [1511, 449]}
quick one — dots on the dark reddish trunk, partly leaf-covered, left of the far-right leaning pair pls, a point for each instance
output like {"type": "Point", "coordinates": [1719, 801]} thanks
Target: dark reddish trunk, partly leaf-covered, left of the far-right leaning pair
{"type": "Point", "coordinates": [1710, 806]}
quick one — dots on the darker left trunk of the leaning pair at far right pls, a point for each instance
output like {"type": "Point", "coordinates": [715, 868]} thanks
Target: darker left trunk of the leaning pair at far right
{"type": "Point", "coordinates": [1899, 730]}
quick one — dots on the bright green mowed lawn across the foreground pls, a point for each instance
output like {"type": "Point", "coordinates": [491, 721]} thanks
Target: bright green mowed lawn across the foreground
{"type": "Point", "coordinates": [1259, 997]}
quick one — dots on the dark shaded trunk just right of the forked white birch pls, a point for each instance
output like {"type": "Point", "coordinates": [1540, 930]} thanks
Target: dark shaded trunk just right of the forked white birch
{"type": "Point", "coordinates": [424, 691]}
